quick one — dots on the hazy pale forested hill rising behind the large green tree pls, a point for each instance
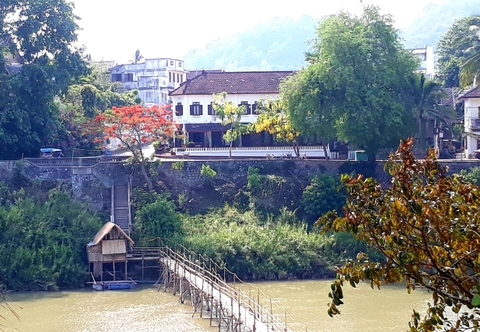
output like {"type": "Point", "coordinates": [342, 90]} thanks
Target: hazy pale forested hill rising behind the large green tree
{"type": "Point", "coordinates": [280, 43]}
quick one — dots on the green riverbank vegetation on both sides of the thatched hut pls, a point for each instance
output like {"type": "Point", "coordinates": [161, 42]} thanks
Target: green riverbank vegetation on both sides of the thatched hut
{"type": "Point", "coordinates": [43, 231]}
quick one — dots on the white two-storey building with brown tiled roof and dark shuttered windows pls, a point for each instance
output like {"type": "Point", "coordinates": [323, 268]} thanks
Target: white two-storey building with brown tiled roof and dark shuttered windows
{"type": "Point", "coordinates": [192, 102]}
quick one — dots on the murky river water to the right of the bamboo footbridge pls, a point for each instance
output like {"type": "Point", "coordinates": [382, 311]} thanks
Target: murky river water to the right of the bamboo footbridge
{"type": "Point", "coordinates": [365, 310]}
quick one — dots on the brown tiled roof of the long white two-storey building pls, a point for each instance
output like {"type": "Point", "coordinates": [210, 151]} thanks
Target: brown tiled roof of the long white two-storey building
{"type": "Point", "coordinates": [247, 82]}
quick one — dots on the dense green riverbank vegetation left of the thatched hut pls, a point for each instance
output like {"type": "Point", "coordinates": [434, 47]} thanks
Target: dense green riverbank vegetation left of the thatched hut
{"type": "Point", "coordinates": [42, 240]}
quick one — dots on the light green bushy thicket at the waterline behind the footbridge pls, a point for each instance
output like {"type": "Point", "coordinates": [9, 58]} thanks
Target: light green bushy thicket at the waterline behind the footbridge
{"type": "Point", "coordinates": [255, 250]}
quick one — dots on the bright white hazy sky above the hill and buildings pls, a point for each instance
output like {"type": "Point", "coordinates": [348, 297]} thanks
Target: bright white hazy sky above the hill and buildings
{"type": "Point", "coordinates": [114, 29]}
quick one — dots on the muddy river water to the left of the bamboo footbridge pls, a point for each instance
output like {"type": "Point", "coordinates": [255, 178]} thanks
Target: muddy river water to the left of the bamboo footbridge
{"type": "Point", "coordinates": [140, 310]}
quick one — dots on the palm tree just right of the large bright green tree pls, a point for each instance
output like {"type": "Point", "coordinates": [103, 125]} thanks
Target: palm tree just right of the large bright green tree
{"type": "Point", "coordinates": [426, 98]}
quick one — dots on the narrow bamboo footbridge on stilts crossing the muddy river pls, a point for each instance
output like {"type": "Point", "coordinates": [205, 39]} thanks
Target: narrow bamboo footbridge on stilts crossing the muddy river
{"type": "Point", "coordinates": [229, 307]}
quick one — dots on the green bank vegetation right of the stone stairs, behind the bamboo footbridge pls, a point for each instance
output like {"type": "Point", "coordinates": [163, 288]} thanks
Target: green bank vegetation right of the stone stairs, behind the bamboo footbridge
{"type": "Point", "coordinates": [253, 243]}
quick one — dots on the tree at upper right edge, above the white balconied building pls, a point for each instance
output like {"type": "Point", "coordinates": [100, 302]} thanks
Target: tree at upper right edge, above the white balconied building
{"type": "Point", "coordinates": [458, 52]}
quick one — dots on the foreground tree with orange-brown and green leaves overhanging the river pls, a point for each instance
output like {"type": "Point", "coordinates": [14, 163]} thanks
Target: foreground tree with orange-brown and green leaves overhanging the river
{"type": "Point", "coordinates": [426, 227]}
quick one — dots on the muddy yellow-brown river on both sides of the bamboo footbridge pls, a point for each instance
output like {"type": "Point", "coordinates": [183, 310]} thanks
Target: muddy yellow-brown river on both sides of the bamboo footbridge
{"type": "Point", "coordinates": [147, 310]}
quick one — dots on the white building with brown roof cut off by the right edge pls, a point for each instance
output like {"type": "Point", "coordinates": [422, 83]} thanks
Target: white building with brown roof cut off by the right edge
{"type": "Point", "coordinates": [471, 120]}
